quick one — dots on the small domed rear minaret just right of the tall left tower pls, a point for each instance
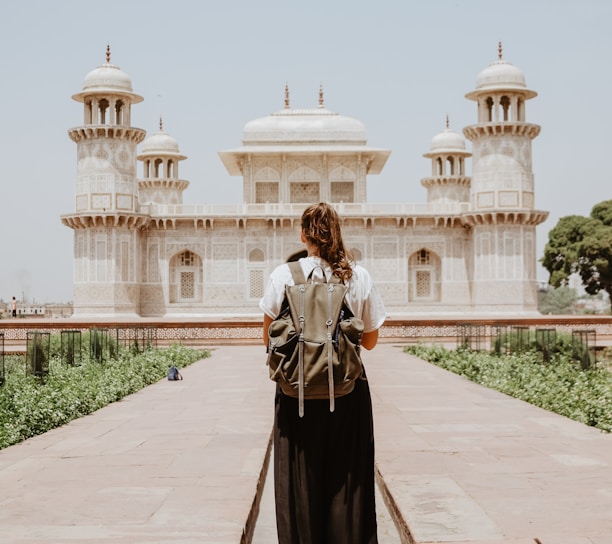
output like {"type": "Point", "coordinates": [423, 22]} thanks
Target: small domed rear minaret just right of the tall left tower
{"type": "Point", "coordinates": [160, 182]}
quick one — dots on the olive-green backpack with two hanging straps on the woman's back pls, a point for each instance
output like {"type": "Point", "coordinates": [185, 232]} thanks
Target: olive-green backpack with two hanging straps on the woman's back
{"type": "Point", "coordinates": [314, 343]}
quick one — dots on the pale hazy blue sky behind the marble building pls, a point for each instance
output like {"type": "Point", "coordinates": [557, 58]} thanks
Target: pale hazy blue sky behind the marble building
{"type": "Point", "coordinates": [209, 67]}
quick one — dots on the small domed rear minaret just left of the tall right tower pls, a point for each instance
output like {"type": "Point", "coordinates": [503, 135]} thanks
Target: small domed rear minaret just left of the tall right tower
{"type": "Point", "coordinates": [448, 182]}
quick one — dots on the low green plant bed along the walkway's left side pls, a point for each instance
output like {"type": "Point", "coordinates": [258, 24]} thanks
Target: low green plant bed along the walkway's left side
{"type": "Point", "coordinates": [29, 406]}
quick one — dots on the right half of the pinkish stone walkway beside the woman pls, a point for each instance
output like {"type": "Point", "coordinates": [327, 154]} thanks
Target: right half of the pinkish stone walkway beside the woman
{"type": "Point", "coordinates": [465, 464]}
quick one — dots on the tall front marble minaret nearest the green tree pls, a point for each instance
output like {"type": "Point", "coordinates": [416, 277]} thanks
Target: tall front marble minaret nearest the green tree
{"type": "Point", "coordinates": [502, 213]}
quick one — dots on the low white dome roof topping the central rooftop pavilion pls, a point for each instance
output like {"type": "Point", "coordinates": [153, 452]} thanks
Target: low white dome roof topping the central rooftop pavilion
{"type": "Point", "coordinates": [303, 126]}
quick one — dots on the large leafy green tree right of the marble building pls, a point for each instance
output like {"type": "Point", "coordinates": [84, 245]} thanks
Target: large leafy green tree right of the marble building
{"type": "Point", "coordinates": [583, 245]}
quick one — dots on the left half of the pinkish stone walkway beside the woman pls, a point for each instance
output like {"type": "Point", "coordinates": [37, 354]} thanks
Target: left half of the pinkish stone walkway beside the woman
{"type": "Point", "coordinates": [179, 462]}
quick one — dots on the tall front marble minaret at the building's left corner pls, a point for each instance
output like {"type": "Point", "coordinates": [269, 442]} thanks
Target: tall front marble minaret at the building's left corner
{"type": "Point", "coordinates": [106, 221]}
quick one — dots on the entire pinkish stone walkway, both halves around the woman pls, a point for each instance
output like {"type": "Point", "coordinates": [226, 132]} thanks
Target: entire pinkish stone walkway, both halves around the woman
{"type": "Point", "coordinates": [181, 462]}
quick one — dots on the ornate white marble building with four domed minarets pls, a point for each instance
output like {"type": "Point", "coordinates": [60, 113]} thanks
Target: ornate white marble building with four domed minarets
{"type": "Point", "coordinates": [139, 251]}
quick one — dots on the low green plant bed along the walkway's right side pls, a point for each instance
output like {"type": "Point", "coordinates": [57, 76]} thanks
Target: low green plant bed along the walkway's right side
{"type": "Point", "coordinates": [559, 386]}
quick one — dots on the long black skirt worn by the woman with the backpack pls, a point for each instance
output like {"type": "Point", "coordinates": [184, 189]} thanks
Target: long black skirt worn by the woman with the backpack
{"type": "Point", "coordinates": [324, 470]}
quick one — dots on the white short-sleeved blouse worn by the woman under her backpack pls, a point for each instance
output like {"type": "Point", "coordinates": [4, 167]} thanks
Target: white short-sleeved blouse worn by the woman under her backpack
{"type": "Point", "coordinates": [362, 297]}
